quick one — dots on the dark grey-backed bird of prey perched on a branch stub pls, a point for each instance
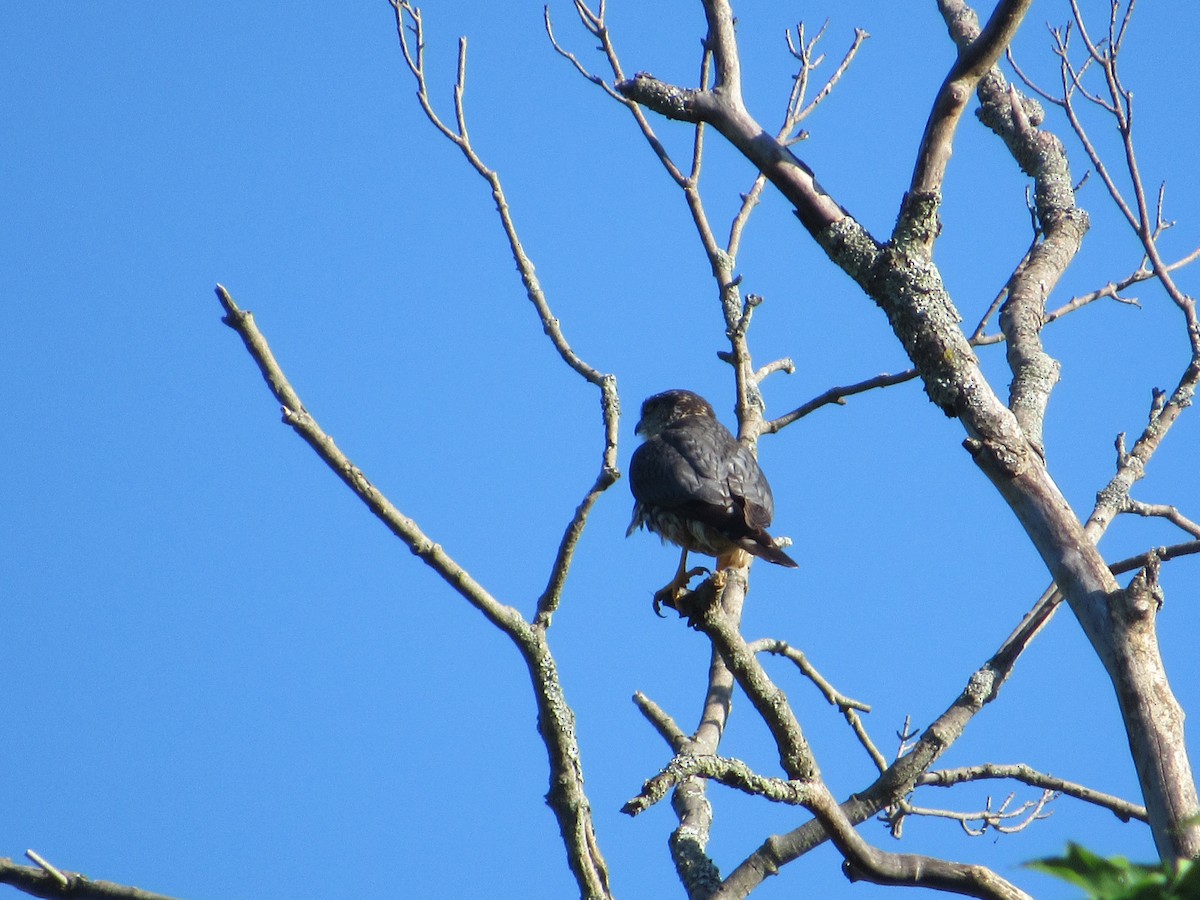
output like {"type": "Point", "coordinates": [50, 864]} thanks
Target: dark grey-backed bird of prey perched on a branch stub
{"type": "Point", "coordinates": [698, 488]}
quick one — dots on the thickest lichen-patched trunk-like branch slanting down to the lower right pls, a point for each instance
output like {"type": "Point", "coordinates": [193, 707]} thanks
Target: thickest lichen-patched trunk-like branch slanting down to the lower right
{"type": "Point", "coordinates": [903, 281]}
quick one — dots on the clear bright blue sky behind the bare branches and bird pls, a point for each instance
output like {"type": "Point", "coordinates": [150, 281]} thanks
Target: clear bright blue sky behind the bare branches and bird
{"type": "Point", "coordinates": [226, 680]}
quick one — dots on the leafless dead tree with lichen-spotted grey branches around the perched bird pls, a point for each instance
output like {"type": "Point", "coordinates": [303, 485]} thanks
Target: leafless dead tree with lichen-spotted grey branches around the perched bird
{"type": "Point", "coordinates": [1004, 437]}
